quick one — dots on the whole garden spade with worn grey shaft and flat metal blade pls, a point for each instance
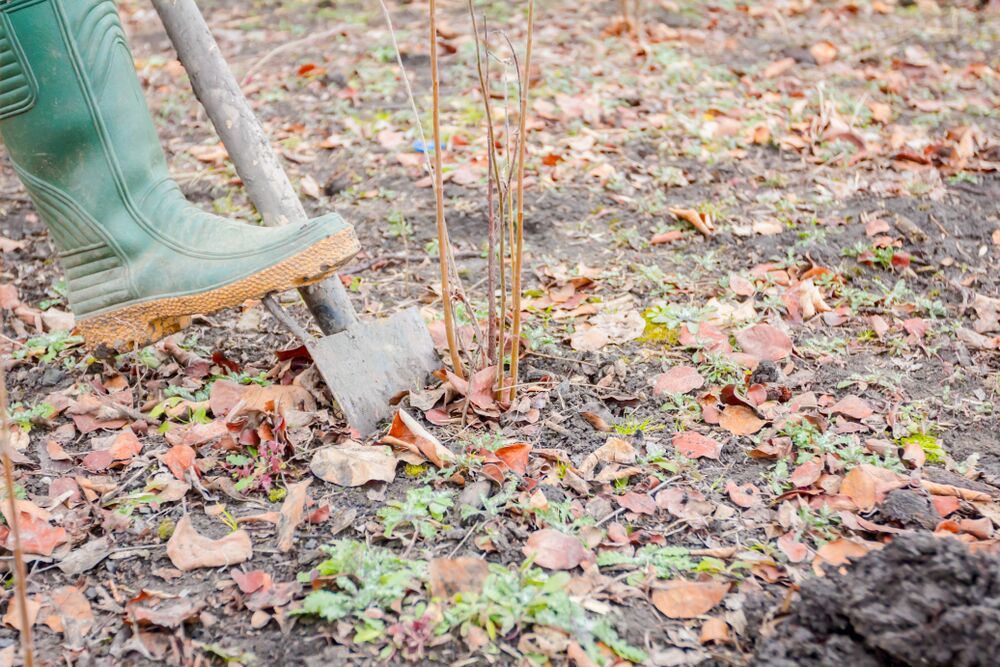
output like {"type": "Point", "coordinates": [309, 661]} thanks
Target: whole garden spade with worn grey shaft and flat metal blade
{"type": "Point", "coordinates": [364, 364]}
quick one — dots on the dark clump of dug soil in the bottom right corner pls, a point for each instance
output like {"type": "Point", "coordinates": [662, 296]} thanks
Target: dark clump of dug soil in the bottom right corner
{"type": "Point", "coordinates": [922, 600]}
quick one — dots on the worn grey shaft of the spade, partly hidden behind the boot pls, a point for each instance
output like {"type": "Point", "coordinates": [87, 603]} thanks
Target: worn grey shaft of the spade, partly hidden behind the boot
{"type": "Point", "coordinates": [248, 146]}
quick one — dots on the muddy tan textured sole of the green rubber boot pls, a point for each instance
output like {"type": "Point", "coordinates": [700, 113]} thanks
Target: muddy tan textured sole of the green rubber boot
{"type": "Point", "coordinates": [140, 324]}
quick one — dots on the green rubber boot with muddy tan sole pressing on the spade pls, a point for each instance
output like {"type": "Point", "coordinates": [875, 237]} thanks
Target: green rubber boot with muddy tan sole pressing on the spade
{"type": "Point", "coordinates": [138, 257]}
